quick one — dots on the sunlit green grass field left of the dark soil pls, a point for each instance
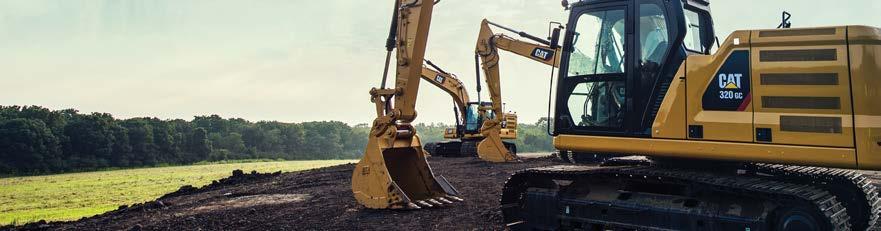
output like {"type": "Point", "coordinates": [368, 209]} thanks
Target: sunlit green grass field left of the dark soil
{"type": "Point", "coordinates": [72, 196]}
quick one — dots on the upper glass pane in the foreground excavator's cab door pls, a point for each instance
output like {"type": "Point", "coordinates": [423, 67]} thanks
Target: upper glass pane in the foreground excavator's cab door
{"type": "Point", "coordinates": [598, 44]}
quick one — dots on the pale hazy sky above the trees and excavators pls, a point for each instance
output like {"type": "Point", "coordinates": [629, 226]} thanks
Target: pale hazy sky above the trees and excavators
{"type": "Point", "coordinates": [288, 60]}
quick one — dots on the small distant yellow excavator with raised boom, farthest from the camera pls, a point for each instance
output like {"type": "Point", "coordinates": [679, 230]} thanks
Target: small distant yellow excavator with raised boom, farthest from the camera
{"type": "Point", "coordinates": [462, 140]}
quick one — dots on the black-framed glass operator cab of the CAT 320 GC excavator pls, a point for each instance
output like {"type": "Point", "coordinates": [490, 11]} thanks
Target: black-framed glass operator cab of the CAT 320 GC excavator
{"type": "Point", "coordinates": [619, 58]}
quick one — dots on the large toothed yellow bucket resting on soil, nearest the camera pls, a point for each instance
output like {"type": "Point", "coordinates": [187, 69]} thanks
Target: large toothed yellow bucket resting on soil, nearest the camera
{"type": "Point", "coordinates": [394, 174]}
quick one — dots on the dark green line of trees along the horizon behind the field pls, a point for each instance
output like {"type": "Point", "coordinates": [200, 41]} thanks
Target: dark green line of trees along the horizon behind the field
{"type": "Point", "coordinates": [37, 140]}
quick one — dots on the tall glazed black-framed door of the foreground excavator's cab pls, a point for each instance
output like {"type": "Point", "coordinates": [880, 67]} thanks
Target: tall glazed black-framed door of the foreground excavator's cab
{"type": "Point", "coordinates": [592, 93]}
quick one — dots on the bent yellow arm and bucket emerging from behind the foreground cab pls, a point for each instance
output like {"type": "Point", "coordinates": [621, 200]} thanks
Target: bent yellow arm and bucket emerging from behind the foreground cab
{"type": "Point", "coordinates": [487, 51]}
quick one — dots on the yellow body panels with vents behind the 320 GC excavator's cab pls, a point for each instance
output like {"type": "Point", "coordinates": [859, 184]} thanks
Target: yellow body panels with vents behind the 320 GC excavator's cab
{"type": "Point", "coordinates": [814, 99]}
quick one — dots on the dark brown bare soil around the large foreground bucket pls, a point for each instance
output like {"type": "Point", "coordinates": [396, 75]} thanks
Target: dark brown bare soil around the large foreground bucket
{"type": "Point", "coordinates": [311, 200]}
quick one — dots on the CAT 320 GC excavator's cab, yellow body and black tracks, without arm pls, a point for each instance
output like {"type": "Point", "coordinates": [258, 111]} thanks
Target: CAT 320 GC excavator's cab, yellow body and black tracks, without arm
{"type": "Point", "coordinates": [766, 133]}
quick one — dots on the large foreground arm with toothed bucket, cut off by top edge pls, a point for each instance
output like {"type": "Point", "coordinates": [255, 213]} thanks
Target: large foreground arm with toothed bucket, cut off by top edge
{"type": "Point", "coordinates": [394, 172]}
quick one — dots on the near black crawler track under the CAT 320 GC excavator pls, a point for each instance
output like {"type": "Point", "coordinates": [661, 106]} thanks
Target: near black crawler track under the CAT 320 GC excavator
{"type": "Point", "coordinates": [658, 198]}
